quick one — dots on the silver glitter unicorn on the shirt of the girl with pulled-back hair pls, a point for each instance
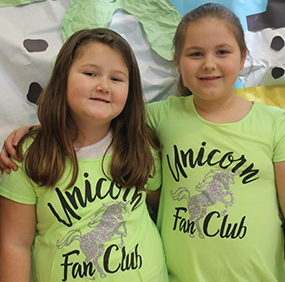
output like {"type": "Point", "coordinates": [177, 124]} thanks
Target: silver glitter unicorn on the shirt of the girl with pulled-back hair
{"type": "Point", "coordinates": [214, 187]}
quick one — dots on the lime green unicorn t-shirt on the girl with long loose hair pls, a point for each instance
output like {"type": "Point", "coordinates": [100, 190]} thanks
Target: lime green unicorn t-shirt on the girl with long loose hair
{"type": "Point", "coordinates": [95, 230]}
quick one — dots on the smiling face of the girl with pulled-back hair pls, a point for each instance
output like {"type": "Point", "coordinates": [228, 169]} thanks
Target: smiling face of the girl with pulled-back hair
{"type": "Point", "coordinates": [210, 60]}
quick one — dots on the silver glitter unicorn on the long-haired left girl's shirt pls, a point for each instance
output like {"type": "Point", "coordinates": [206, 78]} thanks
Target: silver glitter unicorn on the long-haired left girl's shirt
{"type": "Point", "coordinates": [106, 223]}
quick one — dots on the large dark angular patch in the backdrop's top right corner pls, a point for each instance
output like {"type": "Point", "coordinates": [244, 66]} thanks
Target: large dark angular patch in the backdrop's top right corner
{"type": "Point", "coordinates": [273, 17]}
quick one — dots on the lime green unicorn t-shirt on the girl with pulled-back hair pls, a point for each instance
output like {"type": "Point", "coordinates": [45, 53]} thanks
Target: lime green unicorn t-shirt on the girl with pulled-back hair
{"type": "Point", "coordinates": [218, 214]}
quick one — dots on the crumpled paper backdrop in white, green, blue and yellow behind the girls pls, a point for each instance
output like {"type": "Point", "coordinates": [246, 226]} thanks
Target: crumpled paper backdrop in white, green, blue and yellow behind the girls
{"type": "Point", "coordinates": [32, 33]}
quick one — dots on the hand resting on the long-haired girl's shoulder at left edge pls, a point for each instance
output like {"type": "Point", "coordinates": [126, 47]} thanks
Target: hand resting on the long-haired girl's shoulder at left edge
{"type": "Point", "coordinates": [9, 149]}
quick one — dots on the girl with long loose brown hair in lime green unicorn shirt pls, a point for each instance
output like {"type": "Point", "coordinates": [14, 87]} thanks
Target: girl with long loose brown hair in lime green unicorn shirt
{"type": "Point", "coordinates": [75, 209]}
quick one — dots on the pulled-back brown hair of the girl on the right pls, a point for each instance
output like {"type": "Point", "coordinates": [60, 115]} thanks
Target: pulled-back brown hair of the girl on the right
{"type": "Point", "coordinates": [209, 10]}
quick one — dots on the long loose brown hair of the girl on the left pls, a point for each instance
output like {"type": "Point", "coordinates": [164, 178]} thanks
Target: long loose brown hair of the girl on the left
{"type": "Point", "coordinates": [132, 161]}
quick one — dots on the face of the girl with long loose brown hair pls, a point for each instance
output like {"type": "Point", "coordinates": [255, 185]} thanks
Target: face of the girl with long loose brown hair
{"type": "Point", "coordinates": [97, 87]}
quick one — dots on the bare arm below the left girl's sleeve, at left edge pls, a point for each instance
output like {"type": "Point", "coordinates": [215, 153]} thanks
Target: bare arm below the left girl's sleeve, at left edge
{"type": "Point", "coordinates": [17, 230]}
